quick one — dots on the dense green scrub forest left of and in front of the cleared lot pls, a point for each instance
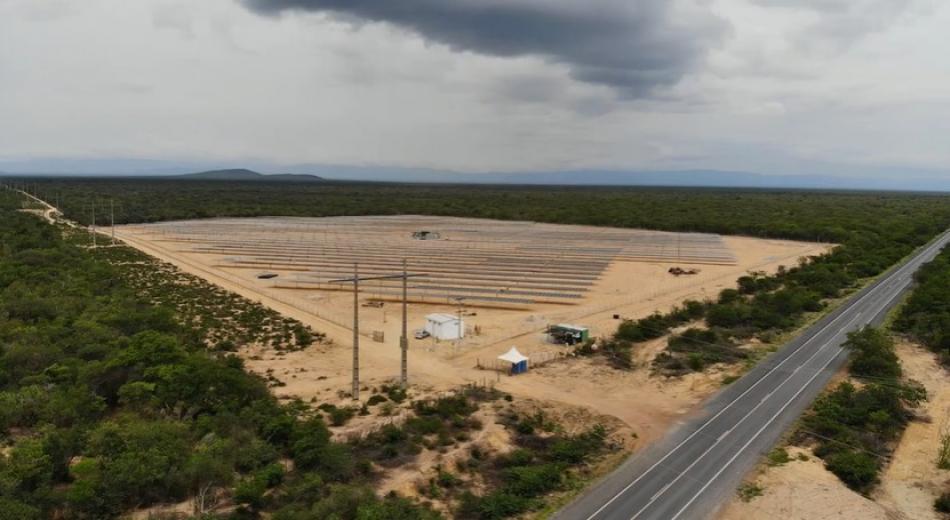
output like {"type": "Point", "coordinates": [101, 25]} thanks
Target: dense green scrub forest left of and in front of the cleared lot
{"type": "Point", "coordinates": [111, 401]}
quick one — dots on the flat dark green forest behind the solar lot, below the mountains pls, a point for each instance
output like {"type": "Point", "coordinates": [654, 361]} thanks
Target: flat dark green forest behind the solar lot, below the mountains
{"type": "Point", "coordinates": [803, 215]}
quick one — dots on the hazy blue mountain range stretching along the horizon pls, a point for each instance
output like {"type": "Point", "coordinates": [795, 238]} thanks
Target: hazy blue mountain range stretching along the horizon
{"type": "Point", "coordinates": [849, 178]}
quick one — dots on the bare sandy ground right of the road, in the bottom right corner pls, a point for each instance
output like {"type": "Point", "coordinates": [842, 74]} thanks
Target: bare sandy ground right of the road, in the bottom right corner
{"type": "Point", "coordinates": [805, 490]}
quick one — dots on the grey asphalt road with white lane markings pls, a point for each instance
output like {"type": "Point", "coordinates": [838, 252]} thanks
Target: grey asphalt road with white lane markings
{"type": "Point", "coordinates": [692, 471]}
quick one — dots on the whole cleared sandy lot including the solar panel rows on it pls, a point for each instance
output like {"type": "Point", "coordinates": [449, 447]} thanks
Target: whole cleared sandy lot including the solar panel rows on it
{"type": "Point", "coordinates": [511, 280]}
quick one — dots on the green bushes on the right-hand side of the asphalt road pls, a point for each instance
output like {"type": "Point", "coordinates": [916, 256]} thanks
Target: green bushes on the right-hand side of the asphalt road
{"type": "Point", "coordinates": [855, 427]}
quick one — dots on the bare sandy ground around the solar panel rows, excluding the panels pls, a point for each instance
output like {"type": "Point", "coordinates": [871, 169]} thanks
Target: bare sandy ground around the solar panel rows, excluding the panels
{"type": "Point", "coordinates": [630, 289]}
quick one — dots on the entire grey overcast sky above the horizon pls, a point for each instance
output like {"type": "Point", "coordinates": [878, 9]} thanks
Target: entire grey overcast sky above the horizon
{"type": "Point", "coordinates": [770, 86]}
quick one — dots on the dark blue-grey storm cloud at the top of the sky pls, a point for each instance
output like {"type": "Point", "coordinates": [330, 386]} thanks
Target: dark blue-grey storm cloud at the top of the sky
{"type": "Point", "coordinates": [631, 45]}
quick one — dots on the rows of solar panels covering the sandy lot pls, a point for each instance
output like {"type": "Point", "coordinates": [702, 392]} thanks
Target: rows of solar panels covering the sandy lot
{"type": "Point", "coordinates": [478, 262]}
